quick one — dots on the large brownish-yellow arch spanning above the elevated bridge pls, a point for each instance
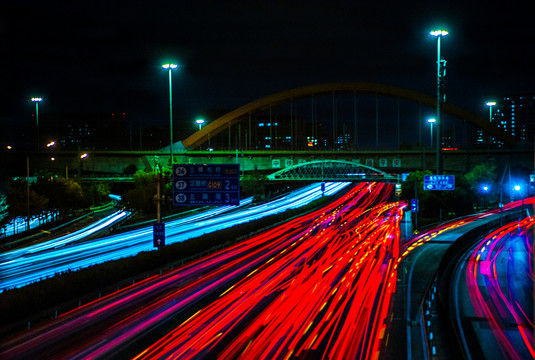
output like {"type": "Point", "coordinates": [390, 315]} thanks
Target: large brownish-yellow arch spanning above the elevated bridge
{"type": "Point", "coordinates": [282, 97]}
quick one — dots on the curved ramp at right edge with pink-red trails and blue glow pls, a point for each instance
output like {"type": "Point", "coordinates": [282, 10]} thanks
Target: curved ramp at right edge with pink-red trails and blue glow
{"type": "Point", "coordinates": [499, 277]}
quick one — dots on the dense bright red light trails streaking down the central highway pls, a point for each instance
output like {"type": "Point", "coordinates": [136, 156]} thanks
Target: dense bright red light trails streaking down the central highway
{"type": "Point", "coordinates": [328, 290]}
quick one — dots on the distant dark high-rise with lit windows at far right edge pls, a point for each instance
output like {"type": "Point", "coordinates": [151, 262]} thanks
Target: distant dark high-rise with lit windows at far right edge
{"type": "Point", "coordinates": [515, 115]}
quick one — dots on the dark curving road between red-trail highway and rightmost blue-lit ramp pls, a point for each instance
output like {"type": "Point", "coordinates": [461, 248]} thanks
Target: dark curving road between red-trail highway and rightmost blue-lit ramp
{"type": "Point", "coordinates": [415, 331]}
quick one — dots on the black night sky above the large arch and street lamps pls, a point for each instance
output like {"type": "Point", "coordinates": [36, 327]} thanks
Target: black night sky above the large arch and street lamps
{"type": "Point", "coordinates": [100, 56]}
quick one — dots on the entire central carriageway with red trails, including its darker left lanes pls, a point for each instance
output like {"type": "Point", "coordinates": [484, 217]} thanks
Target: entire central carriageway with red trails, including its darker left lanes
{"type": "Point", "coordinates": [318, 285]}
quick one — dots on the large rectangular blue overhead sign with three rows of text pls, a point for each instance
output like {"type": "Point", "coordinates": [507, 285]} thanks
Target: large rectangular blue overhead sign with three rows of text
{"type": "Point", "coordinates": [207, 184]}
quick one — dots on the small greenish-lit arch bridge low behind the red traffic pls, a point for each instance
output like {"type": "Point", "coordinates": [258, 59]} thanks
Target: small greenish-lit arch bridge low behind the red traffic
{"type": "Point", "coordinates": [331, 170]}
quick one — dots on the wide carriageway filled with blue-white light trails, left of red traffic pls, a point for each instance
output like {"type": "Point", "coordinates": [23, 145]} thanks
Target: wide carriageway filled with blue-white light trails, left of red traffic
{"type": "Point", "coordinates": [26, 265]}
